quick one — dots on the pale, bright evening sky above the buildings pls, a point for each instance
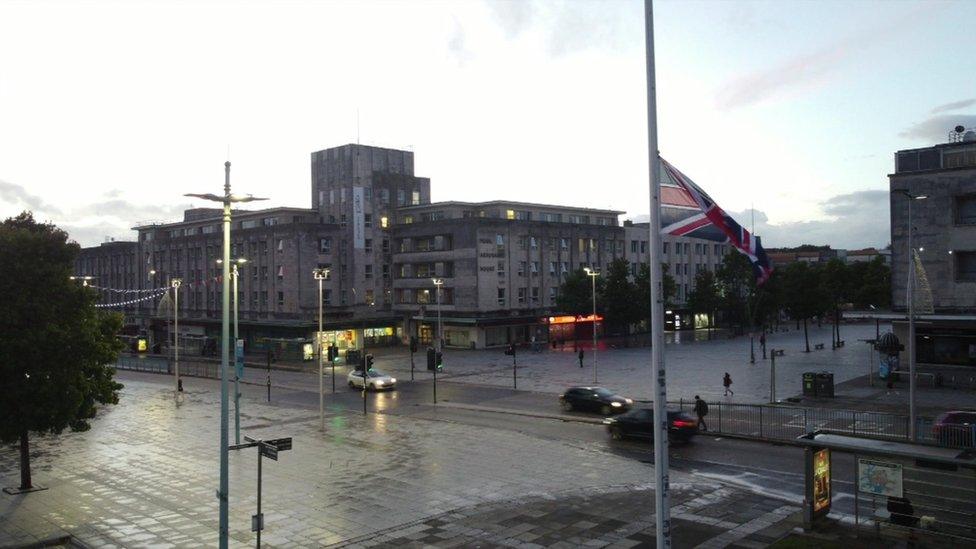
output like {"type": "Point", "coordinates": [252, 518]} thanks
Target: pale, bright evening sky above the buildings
{"type": "Point", "coordinates": [787, 113]}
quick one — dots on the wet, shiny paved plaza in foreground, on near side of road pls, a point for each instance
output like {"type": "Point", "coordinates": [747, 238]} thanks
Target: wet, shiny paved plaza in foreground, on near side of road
{"type": "Point", "coordinates": [146, 473]}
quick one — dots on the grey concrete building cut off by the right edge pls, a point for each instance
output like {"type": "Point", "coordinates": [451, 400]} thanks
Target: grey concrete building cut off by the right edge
{"type": "Point", "coordinates": [944, 225]}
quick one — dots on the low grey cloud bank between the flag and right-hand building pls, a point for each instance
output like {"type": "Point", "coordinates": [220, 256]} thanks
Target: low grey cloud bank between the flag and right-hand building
{"type": "Point", "coordinates": [856, 220]}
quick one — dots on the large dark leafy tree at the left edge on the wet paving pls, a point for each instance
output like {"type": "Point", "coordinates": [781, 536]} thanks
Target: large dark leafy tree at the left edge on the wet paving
{"type": "Point", "coordinates": [55, 344]}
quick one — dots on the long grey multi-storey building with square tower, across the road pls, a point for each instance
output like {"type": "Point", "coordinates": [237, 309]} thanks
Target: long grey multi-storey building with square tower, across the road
{"type": "Point", "coordinates": [373, 226]}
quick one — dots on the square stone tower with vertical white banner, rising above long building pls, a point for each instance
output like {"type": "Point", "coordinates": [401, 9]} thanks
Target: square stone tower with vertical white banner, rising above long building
{"type": "Point", "coordinates": [359, 187]}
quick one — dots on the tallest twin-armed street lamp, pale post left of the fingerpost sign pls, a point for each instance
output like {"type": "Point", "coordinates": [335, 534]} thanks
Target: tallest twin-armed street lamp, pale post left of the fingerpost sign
{"type": "Point", "coordinates": [227, 199]}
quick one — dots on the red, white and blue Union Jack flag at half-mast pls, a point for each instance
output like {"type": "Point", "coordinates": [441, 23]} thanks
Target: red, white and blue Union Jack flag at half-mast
{"type": "Point", "coordinates": [709, 218]}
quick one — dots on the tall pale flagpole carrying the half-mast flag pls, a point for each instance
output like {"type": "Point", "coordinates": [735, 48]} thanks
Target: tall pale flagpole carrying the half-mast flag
{"type": "Point", "coordinates": [662, 515]}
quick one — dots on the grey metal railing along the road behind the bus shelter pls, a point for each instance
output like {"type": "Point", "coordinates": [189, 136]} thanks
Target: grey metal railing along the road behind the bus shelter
{"type": "Point", "coordinates": [786, 423]}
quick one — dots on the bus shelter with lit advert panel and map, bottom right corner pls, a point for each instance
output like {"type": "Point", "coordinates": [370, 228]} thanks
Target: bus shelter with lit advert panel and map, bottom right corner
{"type": "Point", "coordinates": [901, 488]}
